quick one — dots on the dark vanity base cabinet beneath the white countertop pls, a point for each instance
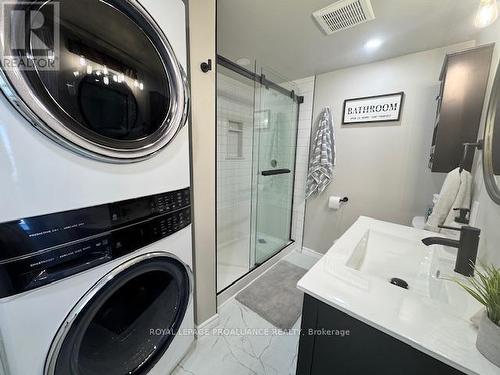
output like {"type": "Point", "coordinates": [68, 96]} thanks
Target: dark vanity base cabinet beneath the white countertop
{"type": "Point", "coordinates": [334, 343]}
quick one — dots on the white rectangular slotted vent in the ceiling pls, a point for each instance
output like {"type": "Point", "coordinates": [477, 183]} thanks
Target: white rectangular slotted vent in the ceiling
{"type": "Point", "coordinates": [343, 15]}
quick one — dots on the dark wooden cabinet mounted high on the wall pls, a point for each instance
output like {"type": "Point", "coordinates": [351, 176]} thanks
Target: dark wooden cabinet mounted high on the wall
{"type": "Point", "coordinates": [460, 102]}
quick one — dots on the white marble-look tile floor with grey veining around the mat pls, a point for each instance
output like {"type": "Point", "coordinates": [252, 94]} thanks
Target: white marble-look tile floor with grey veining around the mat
{"type": "Point", "coordinates": [244, 343]}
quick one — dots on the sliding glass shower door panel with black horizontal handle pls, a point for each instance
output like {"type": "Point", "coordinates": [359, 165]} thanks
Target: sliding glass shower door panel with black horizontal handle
{"type": "Point", "coordinates": [275, 140]}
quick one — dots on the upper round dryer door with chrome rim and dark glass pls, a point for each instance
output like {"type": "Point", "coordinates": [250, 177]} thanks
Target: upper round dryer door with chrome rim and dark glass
{"type": "Point", "coordinates": [98, 76]}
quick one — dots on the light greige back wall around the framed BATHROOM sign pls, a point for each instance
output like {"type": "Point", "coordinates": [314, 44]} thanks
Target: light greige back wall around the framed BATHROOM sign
{"type": "Point", "coordinates": [381, 167]}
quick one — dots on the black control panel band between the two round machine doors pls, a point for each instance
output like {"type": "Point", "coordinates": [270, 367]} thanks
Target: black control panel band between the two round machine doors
{"type": "Point", "coordinates": [40, 250]}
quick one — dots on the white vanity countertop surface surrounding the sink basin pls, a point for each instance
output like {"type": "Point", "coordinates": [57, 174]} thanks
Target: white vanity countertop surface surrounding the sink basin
{"type": "Point", "coordinates": [430, 326]}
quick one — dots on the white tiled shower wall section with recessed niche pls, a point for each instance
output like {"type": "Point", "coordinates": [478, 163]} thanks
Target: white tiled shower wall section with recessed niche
{"type": "Point", "coordinates": [234, 177]}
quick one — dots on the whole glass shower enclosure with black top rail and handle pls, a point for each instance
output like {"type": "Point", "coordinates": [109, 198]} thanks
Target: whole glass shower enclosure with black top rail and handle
{"type": "Point", "coordinates": [257, 119]}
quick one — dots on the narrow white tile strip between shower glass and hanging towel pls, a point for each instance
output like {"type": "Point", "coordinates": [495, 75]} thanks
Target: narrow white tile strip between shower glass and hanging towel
{"type": "Point", "coordinates": [306, 89]}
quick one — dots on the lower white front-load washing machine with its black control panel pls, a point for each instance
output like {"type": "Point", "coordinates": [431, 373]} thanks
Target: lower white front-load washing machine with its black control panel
{"type": "Point", "coordinates": [104, 305]}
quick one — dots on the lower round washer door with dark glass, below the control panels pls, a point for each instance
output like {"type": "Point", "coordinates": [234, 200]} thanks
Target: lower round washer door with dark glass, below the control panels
{"type": "Point", "coordinates": [126, 322]}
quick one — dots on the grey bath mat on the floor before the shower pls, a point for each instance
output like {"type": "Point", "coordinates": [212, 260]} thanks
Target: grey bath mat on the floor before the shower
{"type": "Point", "coordinates": [274, 296]}
